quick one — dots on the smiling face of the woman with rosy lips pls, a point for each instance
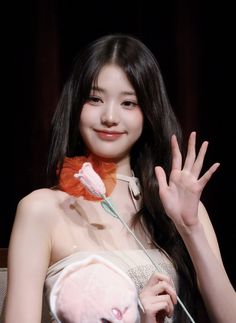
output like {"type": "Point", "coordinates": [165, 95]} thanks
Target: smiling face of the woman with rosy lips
{"type": "Point", "coordinates": [111, 120]}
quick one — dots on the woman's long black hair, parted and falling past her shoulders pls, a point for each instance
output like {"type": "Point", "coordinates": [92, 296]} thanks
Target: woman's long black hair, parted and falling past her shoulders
{"type": "Point", "coordinates": [153, 147]}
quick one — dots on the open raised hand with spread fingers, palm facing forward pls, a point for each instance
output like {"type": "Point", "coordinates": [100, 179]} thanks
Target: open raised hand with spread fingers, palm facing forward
{"type": "Point", "coordinates": [181, 194]}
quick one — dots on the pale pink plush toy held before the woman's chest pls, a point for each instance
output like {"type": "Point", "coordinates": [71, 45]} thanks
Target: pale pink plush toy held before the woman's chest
{"type": "Point", "coordinates": [94, 291]}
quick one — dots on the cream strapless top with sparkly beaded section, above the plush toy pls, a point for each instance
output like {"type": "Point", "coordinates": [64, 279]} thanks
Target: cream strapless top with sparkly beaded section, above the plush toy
{"type": "Point", "coordinates": [133, 262]}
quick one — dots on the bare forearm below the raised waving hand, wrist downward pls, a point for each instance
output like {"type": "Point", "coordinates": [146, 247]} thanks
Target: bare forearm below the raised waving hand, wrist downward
{"type": "Point", "coordinates": [215, 287]}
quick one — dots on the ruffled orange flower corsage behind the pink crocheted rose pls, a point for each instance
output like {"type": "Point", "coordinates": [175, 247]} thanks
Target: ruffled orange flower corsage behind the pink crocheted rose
{"type": "Point", "coordinates": [72, 185]}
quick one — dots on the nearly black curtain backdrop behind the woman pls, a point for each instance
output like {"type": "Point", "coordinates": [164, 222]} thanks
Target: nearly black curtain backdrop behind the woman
{"type": "Point", "coordinates": [193, 42]}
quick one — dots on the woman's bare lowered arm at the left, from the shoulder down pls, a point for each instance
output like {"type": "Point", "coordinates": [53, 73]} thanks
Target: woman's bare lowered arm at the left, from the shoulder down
{"type": "Point", "coordinates": [28, 259]}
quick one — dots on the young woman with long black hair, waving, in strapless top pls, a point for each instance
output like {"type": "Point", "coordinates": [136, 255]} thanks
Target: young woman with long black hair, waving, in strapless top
{"type": "Point", "coordinates": [114, 113]}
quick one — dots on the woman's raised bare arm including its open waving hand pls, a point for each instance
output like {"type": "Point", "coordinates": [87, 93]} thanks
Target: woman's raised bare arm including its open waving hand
{"type": "Point", "coordinates": [181, 200]}
